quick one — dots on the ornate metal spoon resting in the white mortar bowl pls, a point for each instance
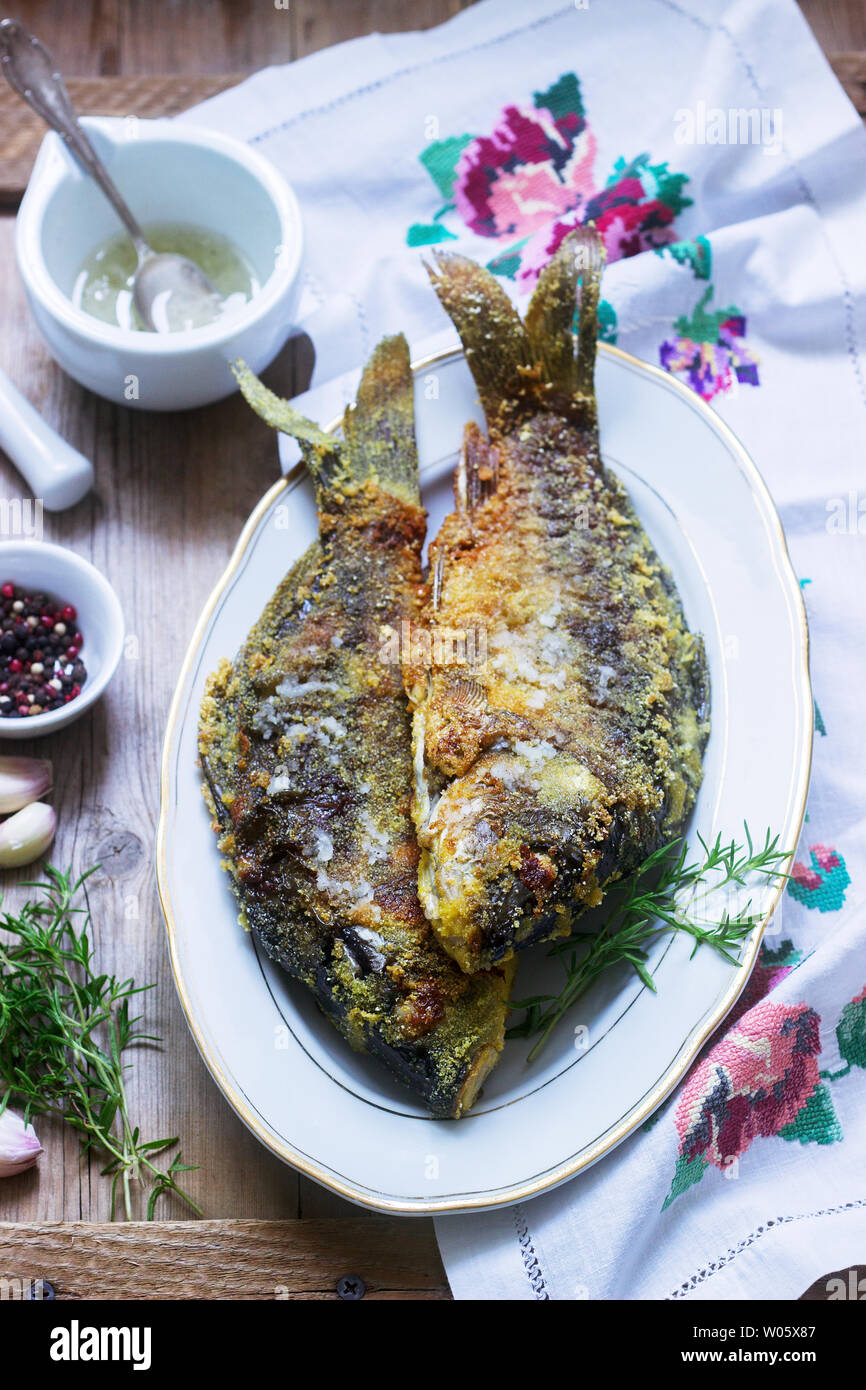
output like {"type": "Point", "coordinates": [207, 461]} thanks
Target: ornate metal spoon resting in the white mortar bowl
{"type": "Point", "coordinates": [169, 291]}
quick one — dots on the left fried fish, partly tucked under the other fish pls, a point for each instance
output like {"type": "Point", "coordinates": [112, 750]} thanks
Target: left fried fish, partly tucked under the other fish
{"type": "Point", "coordinates": [305, 746]}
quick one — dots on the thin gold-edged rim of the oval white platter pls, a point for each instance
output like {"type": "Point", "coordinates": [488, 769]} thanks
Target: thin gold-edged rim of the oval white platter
{"type": "Point", "coordinates": [692, 1046]}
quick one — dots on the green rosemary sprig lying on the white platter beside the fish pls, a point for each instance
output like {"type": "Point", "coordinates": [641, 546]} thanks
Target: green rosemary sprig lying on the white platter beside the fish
{"type": "Point", "coordinates": [662, 896]}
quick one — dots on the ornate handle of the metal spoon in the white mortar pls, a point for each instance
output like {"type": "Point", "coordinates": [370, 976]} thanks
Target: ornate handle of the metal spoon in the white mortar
{"type": "Point", "coordinates": [30, 70]}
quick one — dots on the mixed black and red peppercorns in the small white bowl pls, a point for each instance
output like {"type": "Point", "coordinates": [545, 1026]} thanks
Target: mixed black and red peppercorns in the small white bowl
{"type": "Point", "coordinates": [41, 667]}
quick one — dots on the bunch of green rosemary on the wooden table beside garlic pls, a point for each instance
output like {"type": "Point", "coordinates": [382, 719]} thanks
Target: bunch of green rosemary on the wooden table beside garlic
{"type": "Point", "coordinates": [65, 1029]}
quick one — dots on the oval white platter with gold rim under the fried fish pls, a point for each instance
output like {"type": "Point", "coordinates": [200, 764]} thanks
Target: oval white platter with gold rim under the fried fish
{"type": "Point", "coordinates": [334, 1114]}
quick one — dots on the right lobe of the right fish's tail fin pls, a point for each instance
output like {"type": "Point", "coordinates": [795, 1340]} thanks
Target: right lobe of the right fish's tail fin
{"type": "Point", "coordinates": [550, 319]}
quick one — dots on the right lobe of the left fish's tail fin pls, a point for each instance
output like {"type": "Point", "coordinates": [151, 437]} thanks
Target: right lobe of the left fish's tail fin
{"type": "Point", "coordinates": [379, 429]}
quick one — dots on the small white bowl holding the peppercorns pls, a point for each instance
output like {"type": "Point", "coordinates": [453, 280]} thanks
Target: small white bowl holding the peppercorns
{"type": "Point", "coordinates": [60, 573]}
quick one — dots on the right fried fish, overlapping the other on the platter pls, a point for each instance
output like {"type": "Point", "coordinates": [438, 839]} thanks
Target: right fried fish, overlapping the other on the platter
{"type": "Point", "coordinates": [562, 743]}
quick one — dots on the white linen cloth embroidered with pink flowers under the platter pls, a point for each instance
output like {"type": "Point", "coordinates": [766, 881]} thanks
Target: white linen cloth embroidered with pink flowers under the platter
{"type": "Point", "coordinates": [728, 172]}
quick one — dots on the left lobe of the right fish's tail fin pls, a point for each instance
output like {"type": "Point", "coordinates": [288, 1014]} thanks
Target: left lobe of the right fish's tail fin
{"type": "Point", "coordinates": [493, 336]}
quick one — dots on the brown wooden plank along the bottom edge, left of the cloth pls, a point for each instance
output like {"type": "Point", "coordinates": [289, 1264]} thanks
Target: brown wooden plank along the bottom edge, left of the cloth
{"type": "Point", "coordinates": [248, 1260]}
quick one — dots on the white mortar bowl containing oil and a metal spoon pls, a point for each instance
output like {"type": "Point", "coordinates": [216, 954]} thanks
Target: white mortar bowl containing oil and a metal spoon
{"type": "Point", "coordinates": [169, 173]}
